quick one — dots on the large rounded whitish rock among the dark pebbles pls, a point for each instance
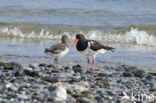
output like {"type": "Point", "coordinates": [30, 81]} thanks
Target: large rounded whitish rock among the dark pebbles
{"type": "Point", "coordinates": [59, 93]}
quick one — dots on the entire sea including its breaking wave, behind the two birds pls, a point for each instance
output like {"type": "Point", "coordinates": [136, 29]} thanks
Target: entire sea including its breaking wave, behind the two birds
{"type": "Point", "coordinates": [27, 27]}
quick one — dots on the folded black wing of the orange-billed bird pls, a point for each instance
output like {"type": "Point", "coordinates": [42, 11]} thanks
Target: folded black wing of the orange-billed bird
{"type": "Point", "coordinates": [94, 45]}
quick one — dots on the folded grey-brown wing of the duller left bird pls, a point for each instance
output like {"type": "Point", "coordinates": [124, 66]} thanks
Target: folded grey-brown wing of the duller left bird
{"type": "Point", "coordinates": [56, 48]}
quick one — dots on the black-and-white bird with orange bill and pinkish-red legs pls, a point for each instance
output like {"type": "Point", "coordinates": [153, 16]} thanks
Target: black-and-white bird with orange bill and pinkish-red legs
{"type": "Point", "coordinates": [90, 48]}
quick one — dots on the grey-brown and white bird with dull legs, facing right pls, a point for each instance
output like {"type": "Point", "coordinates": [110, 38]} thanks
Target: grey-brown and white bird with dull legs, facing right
{"type": "Point", "coordinates": [58, 50]}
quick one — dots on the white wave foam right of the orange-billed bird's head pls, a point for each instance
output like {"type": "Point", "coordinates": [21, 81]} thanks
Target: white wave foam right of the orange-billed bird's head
{"type": "Point", "coordinates": [134, 36]}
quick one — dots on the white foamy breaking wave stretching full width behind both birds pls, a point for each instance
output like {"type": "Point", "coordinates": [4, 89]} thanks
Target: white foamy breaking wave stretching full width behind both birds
{"type": "Point", "coordinates": [133, 36]}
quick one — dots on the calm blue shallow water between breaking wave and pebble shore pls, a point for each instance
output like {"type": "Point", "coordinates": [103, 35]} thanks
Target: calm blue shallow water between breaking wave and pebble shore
{"type": "Point", "coordinates": [32, 51]}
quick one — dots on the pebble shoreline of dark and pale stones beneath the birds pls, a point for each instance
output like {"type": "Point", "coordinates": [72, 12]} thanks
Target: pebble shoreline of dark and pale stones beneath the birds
{"type": "Point", "coordinates": [40, 82]}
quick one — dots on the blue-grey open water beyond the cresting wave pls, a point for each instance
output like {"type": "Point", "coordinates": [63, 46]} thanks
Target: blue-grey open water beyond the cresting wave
{"type": "Point", "coordinates": [79, 12]}
